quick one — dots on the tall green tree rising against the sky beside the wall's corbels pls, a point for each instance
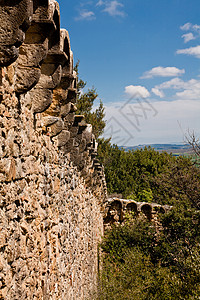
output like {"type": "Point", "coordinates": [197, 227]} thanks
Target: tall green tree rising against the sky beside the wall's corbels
{"type": "Point", "coordinates": [85, 103]}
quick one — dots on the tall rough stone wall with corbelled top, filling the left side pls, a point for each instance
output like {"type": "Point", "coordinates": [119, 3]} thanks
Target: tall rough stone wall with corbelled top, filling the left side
{"type": "Point", "coordinates": [52, 187]}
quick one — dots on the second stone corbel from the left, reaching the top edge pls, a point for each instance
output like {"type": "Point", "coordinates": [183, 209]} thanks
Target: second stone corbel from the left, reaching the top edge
{"type": "Point", "coordinates": [36, 45]}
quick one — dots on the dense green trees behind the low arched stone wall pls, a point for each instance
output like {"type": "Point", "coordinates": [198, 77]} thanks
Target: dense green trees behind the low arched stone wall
{"type": "Point", "coordinates": [150, 176]}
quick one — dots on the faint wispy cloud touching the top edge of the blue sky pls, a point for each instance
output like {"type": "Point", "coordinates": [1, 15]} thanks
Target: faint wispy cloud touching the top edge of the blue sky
{"type": "Point", "coordinates": [113, 8]}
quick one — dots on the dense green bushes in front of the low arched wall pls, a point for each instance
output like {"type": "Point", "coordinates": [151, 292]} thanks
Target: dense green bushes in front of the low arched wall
{"type": "Point", "coordinates": [140, 263]}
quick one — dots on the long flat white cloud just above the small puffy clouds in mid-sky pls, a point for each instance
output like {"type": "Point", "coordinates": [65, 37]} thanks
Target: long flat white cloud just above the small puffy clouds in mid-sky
{"type": "Point", "coordinates": [163, 72]}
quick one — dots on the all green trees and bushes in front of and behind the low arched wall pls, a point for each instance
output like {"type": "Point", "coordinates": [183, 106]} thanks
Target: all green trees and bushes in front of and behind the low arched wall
{"type": "Point", "coordinates": [138, 260]}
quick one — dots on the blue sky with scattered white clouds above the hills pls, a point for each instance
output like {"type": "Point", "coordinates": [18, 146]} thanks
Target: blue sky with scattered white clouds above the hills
{"type": "Point", "coordinates": [143, 57]}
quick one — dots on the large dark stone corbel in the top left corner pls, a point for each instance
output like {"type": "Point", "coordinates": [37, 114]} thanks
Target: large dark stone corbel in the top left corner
{"type": "Point", "coordinates": [15, 19]}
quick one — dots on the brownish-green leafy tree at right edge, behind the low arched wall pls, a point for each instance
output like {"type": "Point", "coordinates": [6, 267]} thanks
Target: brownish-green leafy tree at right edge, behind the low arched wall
{"type": "Point", "coordinates": [180, 183]}
